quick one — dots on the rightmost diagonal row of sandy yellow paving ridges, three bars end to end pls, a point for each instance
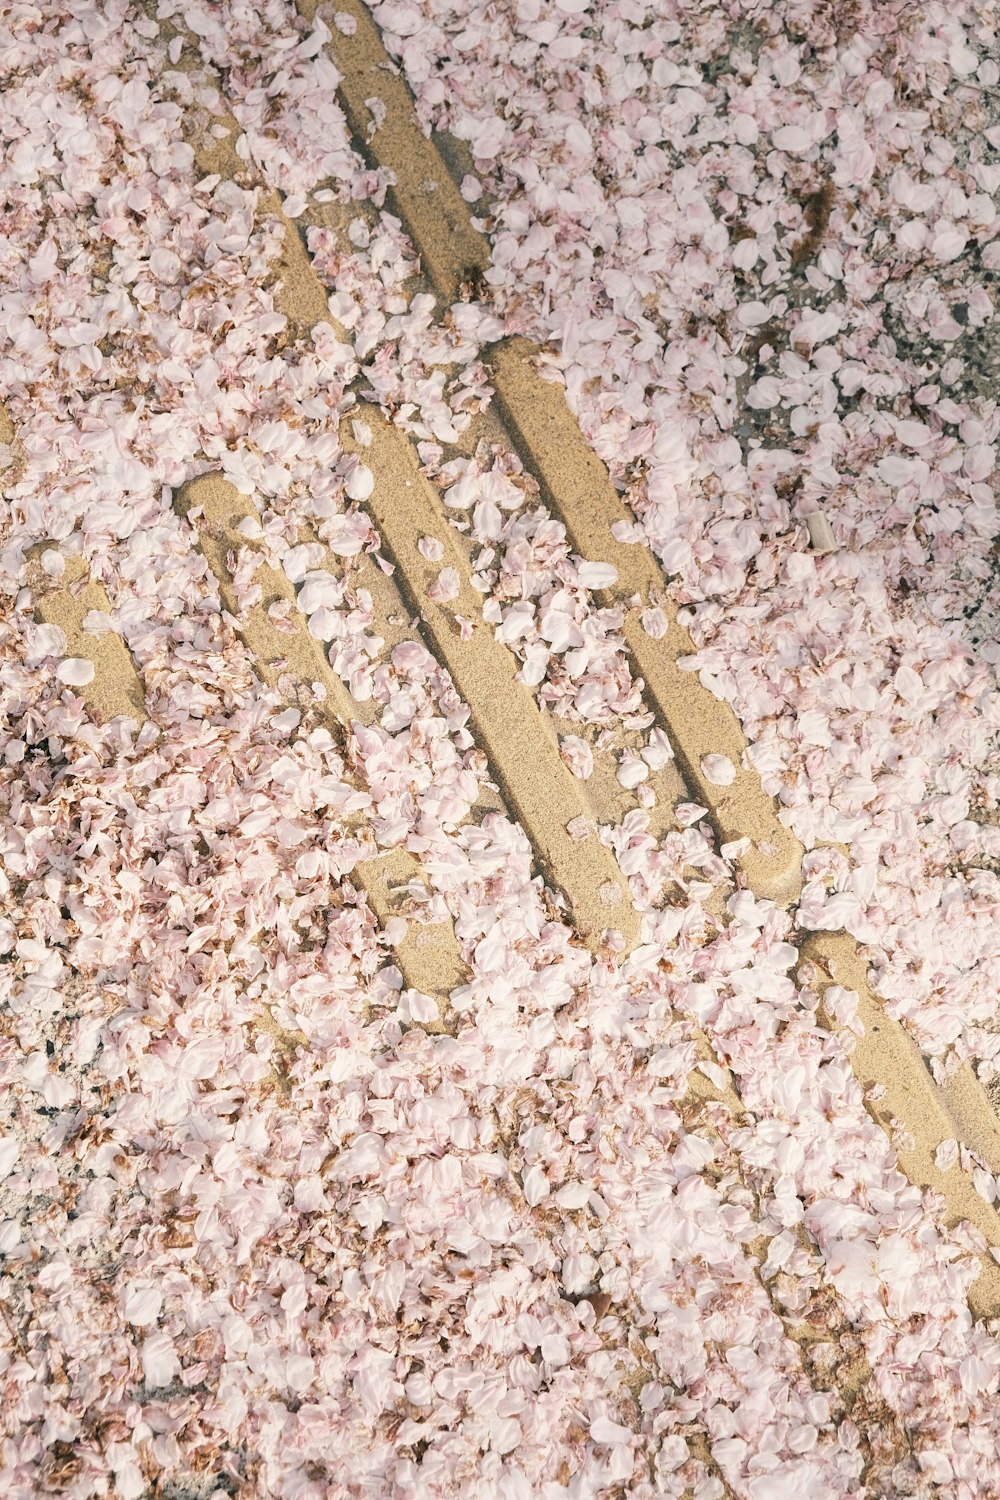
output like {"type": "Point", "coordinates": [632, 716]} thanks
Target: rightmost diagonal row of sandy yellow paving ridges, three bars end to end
{"type": "Point", "coordinates": [579, 490]}
